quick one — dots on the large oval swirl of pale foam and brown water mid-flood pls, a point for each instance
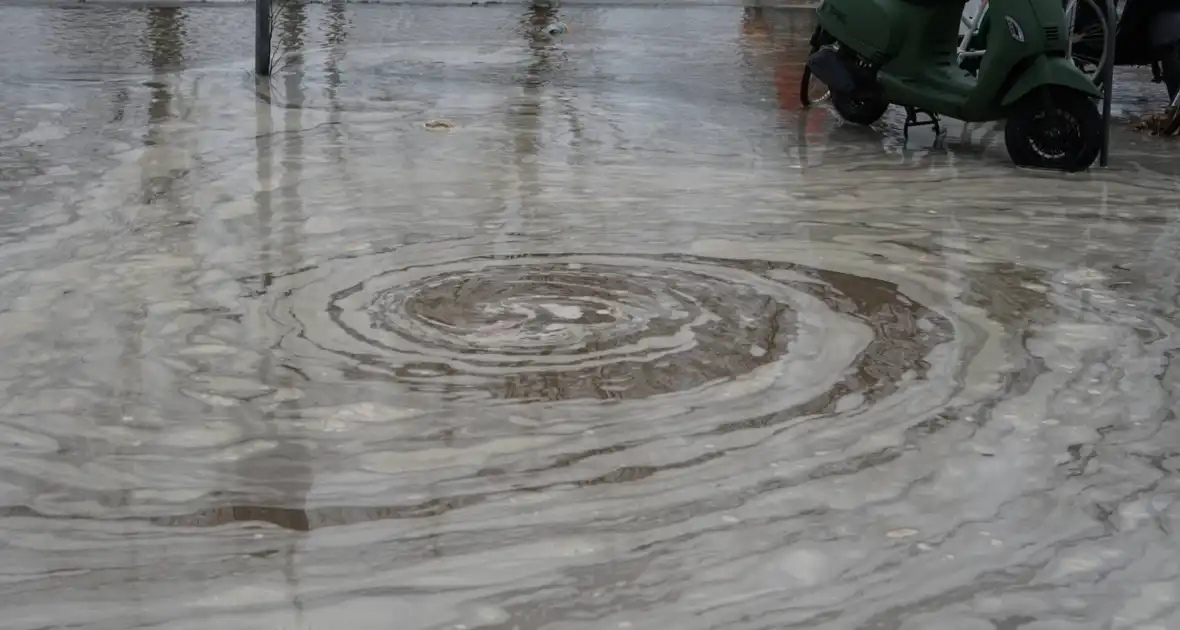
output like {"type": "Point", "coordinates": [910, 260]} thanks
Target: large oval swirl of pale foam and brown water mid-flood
{"type": "Point", "coordinates": [599, 327]}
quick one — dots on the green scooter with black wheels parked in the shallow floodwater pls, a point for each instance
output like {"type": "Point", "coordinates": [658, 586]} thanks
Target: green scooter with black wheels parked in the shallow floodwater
{"type": "Point", "coordinates": [873, 54]}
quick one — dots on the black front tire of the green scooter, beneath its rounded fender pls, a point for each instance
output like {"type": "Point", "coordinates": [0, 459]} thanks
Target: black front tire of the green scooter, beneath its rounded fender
{"type": "Point", "coordinates": [1084, 137]}
